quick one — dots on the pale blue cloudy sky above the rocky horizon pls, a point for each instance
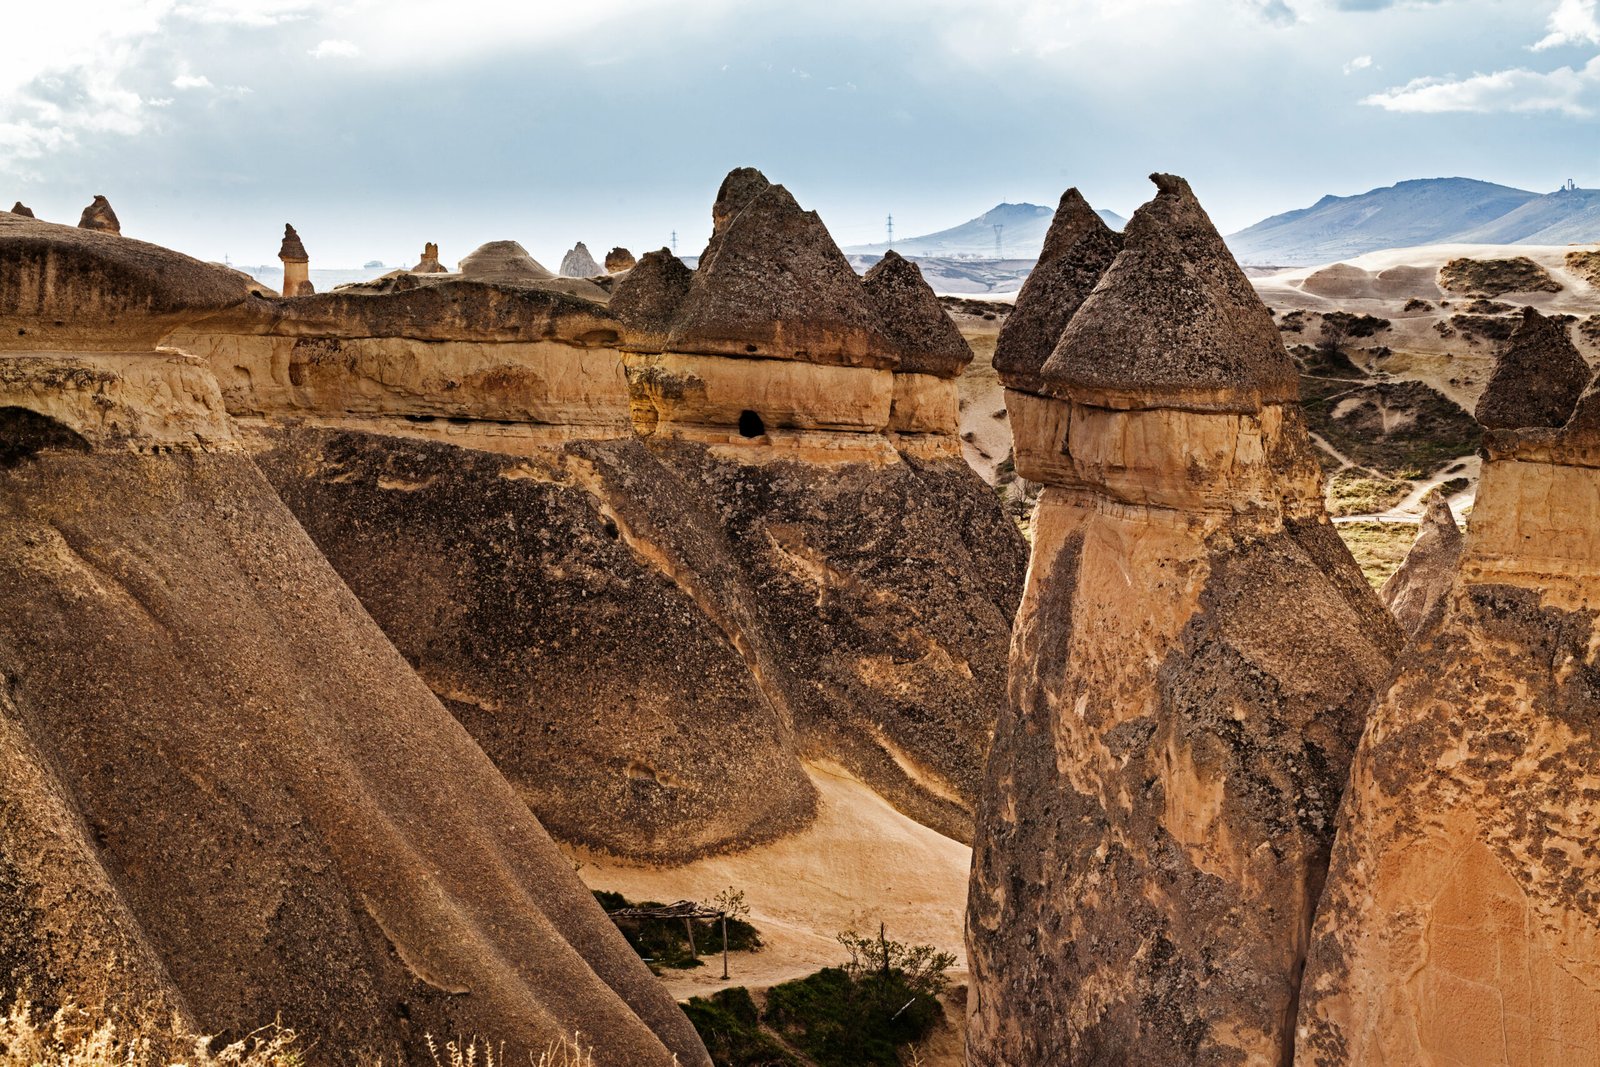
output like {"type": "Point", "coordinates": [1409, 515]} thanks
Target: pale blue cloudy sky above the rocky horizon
{"type": "Point", "coordinates": [378, 126]}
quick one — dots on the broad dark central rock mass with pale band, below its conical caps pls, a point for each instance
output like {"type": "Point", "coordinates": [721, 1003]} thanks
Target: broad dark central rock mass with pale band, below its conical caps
{"type": "Point", "coordinates": [551, 513]}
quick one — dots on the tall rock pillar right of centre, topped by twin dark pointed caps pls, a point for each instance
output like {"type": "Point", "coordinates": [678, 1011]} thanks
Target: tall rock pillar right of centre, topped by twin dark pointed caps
{"type": "Point", "coordinates": [1191, 669]}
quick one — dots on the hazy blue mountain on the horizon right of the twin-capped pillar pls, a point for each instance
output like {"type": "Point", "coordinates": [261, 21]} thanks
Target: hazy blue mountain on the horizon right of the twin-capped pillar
{"type": "Point", "coordinates": [1420, 212]}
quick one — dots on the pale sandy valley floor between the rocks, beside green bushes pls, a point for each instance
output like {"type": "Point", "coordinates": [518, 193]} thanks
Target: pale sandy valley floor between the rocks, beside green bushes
{"type": "Point", "coordinates": [862, 863]}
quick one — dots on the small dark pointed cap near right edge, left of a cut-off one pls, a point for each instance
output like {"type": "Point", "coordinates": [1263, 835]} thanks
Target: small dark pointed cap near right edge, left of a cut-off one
{"type": "Point", "coordinates": [1538, 378]}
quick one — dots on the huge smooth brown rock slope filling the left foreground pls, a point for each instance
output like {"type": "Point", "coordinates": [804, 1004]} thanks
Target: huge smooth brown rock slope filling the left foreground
{"type": "Point", "coordinates": [223, 793]}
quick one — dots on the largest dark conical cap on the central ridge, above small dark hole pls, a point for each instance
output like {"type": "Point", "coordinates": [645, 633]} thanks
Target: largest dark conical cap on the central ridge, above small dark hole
{"type": "Point", "coordinates": [774, 284]}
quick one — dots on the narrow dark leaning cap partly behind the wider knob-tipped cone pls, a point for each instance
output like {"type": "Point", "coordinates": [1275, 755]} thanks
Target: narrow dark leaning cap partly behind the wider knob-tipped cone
{"type": "Point", "coordinates": [1078, 250]}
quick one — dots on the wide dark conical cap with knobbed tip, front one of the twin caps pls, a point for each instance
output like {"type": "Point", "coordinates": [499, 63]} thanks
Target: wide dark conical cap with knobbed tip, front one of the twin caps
{"type": "Point", "coordinates": [1174, 324]}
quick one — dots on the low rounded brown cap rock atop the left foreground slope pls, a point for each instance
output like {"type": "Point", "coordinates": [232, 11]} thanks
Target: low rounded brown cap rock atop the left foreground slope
{"type": "Point", "coordinates": [66, 286]}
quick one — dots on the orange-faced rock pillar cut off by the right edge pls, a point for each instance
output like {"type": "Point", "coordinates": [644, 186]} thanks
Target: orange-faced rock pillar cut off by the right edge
{"type": "Point", "coordinates": [1460, 922]}
